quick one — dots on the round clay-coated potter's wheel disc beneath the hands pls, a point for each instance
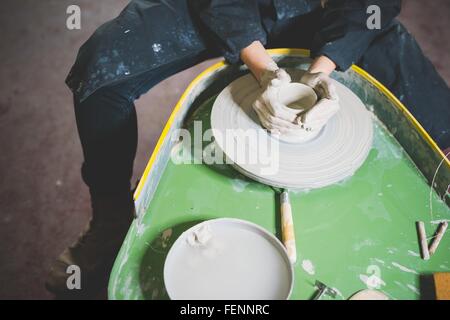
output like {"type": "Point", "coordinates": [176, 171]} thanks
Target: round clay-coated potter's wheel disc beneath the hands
{"type": "Point", "coordinates": [333, 155]}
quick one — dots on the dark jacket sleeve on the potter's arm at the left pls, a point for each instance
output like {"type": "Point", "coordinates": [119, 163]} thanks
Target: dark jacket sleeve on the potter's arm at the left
{"type": "Point", "coordinates": [231, 24]}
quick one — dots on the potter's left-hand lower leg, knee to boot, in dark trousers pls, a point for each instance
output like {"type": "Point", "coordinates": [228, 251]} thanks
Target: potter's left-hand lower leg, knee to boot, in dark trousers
{"type": "Point", "coordinates": [106, 123]}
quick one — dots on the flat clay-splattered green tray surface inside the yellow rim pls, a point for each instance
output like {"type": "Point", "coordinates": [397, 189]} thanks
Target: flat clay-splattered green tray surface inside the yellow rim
{"type": "Point", "coordinates": [359, 231]}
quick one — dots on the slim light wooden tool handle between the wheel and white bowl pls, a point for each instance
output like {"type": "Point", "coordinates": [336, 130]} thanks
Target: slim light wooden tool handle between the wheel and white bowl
{"type": "Point", "coordinates": [287, 227]}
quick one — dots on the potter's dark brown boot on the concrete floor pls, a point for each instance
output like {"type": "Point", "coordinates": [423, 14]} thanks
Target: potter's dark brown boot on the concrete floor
{"type": "Point", "coordinates": [94, 252]}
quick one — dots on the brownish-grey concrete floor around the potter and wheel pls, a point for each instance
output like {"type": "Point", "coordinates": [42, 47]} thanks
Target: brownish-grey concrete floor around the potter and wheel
{"type": "Point", "coordinates": [43, 202]}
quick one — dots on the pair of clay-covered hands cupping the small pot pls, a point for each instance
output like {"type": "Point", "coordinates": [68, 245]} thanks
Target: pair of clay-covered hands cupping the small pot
{"type": "Point", "coordinates": [271, 113]}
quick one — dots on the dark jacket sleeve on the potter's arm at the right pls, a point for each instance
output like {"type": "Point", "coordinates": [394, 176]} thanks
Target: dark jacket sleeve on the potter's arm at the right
{"type": "Point", "coordinates": [343, 35]}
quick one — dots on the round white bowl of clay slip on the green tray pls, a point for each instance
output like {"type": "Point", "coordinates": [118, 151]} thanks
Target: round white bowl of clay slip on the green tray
{"type": "Point", "coordinates": [228, 259]}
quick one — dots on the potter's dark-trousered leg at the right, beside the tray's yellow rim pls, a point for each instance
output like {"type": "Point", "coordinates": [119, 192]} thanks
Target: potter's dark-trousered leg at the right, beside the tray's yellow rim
{"type": "Point", "coordinates": [396, 60]}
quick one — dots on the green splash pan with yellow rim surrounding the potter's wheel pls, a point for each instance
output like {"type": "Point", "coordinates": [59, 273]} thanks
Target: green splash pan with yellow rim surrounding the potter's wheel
{"type": "Point", "coordinates": [353, 235]}
